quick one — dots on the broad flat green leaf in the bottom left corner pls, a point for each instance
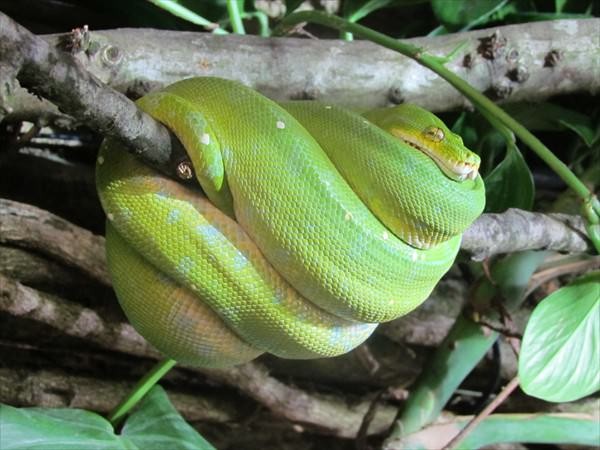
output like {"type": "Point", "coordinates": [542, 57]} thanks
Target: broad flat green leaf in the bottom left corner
{"type": "Point", "coordinates": [53, 429]}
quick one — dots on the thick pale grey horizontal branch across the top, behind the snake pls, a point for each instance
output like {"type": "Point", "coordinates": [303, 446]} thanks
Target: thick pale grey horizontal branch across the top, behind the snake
{"type": "Point", "coordinates": [530, 61]}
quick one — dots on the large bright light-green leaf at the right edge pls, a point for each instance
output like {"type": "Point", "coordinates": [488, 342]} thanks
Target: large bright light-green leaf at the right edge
{"type": "Point", "coordinates": [560, 359]}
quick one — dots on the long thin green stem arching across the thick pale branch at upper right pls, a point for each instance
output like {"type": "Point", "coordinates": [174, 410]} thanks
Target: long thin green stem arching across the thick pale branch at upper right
{"type": "Point", "coordinates": [479, 100]}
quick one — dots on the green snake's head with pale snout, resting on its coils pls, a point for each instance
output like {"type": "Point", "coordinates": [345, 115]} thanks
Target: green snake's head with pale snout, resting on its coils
{"type": "Point", "coordinates": [424, 131]}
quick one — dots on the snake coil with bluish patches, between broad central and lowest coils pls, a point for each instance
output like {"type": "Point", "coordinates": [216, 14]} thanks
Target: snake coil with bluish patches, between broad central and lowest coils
{"type": "Point", "coordinates": [180, 232]}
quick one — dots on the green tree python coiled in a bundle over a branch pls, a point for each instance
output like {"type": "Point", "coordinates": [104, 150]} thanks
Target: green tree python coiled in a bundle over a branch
{"type": "Point", "coordinates": [314, 223]}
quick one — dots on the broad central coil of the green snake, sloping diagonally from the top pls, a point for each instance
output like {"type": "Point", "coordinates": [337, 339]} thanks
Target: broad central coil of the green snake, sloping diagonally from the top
{"type": "Point", "coordinates": [293, 203]}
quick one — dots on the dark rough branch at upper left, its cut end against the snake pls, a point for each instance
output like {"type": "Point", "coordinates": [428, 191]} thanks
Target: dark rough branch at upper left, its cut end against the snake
{"type": "Point", "coordinates": [57, 76]}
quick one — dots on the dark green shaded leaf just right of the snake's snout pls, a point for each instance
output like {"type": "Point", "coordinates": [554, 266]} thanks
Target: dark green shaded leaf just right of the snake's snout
{"type": "Point", "coordinates": [510, 184]}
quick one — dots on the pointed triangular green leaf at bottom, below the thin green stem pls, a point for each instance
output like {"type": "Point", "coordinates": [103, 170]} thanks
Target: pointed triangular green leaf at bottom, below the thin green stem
{"type": "Point", "coordinates": [157, 424]}
